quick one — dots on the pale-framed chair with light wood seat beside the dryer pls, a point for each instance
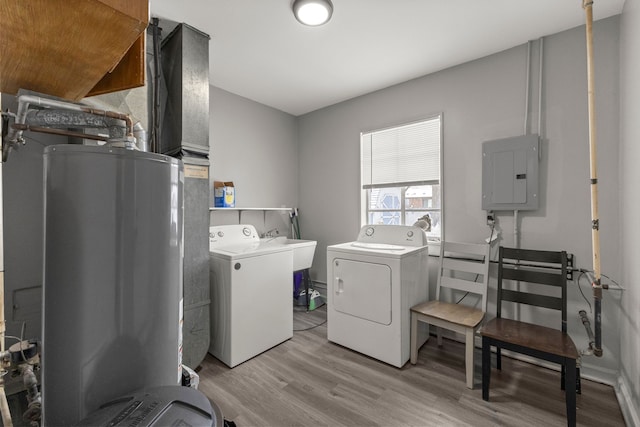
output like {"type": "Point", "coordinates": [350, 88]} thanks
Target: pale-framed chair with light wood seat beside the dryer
{"type": "Point", "coordinates": [461, 264]}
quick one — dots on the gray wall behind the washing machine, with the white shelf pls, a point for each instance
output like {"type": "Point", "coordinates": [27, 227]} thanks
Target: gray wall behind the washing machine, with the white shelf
{"type": "Point", "coordinates": [256, 147]}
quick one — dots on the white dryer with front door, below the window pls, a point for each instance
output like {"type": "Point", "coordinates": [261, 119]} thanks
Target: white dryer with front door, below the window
{"type": "Point", "coordinates": [371, 285]}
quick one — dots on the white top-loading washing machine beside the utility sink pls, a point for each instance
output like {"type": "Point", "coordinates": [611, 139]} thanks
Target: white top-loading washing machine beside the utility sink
{"type": "Point", "coordinates": [251, 304]}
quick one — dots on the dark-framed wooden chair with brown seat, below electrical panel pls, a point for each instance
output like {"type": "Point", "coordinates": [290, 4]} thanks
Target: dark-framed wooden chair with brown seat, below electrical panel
{"type": "Point", "coordinates": [539, 274]}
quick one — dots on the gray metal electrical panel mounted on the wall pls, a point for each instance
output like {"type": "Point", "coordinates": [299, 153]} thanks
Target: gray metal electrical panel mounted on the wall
{"type": "Point", "coordinates": [510, 169]}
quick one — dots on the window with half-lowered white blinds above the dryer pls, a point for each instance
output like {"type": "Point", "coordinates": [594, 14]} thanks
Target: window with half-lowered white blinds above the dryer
{"type": "Point", "coordinates": [400, 173]}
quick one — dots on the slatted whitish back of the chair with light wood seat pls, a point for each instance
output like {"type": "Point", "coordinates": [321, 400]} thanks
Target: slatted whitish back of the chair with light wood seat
{"type": "Point", "coordinates": [465, 267]}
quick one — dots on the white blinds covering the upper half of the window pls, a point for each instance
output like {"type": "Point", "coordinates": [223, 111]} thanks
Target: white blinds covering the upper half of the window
{"type": "Point", "coordinates": [407, 155]}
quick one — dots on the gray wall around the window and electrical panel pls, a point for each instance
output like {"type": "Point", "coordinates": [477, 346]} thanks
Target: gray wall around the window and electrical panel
{"type": "Point", "coordinates": [484, 100]}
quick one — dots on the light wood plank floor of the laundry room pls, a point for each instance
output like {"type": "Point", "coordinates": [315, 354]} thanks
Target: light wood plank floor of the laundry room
{"type": "Point", "coordinates": [308, 381]}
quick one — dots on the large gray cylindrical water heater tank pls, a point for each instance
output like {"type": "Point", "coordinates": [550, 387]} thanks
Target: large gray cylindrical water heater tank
{"type": "Point", "coordinates": [112, 276]}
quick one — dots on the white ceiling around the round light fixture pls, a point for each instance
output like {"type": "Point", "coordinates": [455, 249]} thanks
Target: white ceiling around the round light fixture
{"type": "Point", "coordinates": [259, 51]}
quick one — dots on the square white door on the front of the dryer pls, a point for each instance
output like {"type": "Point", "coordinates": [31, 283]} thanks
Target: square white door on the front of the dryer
{"type": "Point", "coordinates": [362, 289]}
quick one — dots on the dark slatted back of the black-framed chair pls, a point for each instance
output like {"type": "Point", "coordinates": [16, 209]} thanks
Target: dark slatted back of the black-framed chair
{"type": "Point", "coordinates": [547, 268]}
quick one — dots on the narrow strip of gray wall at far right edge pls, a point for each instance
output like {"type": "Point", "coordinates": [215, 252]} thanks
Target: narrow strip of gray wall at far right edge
{"type": "Point", "coordinates": [629, 382]}
